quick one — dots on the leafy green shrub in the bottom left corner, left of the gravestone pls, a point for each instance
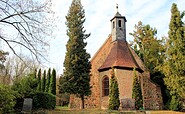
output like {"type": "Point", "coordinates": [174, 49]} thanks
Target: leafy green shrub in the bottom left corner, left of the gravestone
{"type": "Point", "coordinates": [7, 99]}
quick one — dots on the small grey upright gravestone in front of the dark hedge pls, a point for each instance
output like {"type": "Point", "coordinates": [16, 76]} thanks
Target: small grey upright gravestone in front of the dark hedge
{"type": "Point", "coordinates": [27, 105]}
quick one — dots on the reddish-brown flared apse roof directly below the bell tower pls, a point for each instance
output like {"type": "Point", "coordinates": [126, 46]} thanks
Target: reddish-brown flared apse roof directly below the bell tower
{"type": "Point", "coordinates": [119, 56]}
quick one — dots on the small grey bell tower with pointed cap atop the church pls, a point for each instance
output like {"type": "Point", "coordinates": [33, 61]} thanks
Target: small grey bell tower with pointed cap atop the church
{"type": "Point", "coordinates": [118, 27]}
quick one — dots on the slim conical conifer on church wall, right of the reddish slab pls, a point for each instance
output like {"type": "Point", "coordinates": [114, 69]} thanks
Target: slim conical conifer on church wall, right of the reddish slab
{"type": "Point", "coordinates": [136, 91]}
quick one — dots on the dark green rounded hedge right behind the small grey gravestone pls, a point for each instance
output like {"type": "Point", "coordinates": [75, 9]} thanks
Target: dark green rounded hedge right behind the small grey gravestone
{"type": "Point", "coordinates": [43, 100]}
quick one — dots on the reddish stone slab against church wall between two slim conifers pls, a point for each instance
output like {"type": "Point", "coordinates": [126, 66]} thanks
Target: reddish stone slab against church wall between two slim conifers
{"type": "Point", "coordinates": [128, 103]}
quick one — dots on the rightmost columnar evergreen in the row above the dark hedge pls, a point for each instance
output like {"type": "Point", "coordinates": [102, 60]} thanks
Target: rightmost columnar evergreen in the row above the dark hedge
{"type": "Point", "coordinates": [52, 88]}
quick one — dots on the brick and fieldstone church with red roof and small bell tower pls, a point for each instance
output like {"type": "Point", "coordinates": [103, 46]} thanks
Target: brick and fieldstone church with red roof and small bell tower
{"type": "Point", "coordinates": [117, 53]}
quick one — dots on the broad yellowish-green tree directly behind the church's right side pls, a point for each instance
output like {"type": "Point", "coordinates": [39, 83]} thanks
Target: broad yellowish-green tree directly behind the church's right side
{"type": "Point", "coordinates": [151, 51]}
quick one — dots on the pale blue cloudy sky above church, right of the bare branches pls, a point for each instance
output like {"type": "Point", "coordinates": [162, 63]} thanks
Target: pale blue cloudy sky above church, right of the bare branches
{"type": "Point", "coordinates": [98, 14]}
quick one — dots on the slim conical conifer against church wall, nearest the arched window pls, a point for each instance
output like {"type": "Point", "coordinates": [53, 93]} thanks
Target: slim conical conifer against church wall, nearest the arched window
{"type": "Point", "coordinates": [114, 101]}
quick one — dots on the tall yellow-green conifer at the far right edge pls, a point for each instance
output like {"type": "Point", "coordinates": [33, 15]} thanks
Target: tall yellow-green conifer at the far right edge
{"type": "Point", "coordinates": [174, 62]}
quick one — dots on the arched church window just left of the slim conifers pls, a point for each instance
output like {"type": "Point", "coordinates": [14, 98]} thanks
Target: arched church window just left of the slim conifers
{"type": "Point", "coordinates": [105, 86]}
